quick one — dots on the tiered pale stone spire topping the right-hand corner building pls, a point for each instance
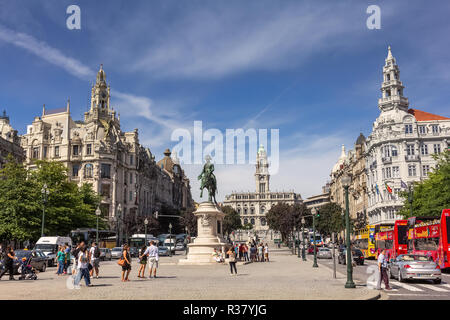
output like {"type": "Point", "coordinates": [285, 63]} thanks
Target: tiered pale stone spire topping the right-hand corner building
{"type": "Point", "coordinates": [392, 87]}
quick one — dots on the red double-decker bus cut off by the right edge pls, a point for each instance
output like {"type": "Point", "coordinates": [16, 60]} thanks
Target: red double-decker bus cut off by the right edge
{"type": "Point", "coordinates": [429, 236]}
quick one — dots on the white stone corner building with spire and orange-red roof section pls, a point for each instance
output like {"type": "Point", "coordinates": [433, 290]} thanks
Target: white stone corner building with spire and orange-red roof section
{"type": "Point", "coordinates": [399, 149]}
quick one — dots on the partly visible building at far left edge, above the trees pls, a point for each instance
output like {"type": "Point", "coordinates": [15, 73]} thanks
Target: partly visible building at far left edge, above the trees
{"type": "Point", "coordinates": [9, 142]}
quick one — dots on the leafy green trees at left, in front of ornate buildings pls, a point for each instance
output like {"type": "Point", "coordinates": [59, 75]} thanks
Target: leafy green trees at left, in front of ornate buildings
{"type": "Point", "coordinates": [21, 202]}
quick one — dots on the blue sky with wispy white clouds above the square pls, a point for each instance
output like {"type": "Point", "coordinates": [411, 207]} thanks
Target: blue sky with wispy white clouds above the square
{"type": "Point", "coordinates": [311, 69]}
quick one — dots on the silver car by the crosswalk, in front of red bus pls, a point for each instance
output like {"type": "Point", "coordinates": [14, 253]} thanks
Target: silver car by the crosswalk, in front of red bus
{"type": "Point", "coordinates": [412, 266]}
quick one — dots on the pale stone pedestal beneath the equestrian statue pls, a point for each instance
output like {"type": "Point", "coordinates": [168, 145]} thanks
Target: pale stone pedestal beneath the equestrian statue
{"type": "Point", "coordinates": [209, 226]}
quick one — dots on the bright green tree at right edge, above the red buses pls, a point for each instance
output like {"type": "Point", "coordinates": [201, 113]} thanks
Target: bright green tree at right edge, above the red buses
{"type": "Point", "coordinates": [432, 195]}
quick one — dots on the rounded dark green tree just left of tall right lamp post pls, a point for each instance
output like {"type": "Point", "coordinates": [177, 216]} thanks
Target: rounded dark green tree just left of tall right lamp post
{"type": "Point", "coordinates": [330, 219]}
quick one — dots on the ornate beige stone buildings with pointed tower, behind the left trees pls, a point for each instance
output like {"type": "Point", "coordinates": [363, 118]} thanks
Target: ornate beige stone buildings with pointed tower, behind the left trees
{"type": "Point", "coordinates": [98, 152]}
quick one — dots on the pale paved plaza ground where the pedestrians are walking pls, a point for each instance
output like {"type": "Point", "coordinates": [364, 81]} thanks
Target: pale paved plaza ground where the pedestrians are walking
{"type": "Point", "coordinates": [284, 277]}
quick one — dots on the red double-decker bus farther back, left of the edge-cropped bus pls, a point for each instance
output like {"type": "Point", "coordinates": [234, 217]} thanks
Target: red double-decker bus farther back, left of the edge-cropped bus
{"type": "Point", "coordinates": [394, 239]}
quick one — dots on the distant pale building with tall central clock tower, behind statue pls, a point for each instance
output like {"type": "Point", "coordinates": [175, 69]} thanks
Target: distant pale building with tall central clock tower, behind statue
{"type": "Point", "coordinates": [253, 206]}
